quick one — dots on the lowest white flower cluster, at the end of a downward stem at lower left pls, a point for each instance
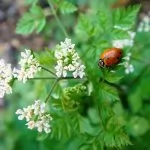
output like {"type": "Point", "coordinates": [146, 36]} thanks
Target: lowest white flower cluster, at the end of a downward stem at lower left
{"type": "Point", "coordinates": [36, 116]}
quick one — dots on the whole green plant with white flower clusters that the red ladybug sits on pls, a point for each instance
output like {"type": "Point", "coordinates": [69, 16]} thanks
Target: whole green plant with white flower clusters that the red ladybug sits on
{"type": "Point", "coordinates": [76, 100]}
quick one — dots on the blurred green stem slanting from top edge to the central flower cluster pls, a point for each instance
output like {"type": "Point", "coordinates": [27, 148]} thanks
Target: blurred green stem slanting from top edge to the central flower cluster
{"type": "Point", "coordinates": [57, 19]}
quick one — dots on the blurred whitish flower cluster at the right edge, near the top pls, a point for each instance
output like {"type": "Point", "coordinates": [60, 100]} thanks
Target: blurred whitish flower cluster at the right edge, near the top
{"type": "Point", "coordinates": [144, 25]}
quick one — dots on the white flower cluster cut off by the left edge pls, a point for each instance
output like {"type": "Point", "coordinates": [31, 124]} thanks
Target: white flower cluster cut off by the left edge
{"type": "Point", "coordinates": [5, 78]}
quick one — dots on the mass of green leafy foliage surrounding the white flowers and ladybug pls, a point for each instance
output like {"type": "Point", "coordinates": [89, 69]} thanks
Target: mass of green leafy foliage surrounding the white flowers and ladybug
{"type": "Point", "coordinates": [106, 109]}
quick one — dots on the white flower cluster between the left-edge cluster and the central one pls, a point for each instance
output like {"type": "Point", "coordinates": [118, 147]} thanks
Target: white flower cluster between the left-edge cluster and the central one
{"type": "Point", "coordinates": [29, 66]}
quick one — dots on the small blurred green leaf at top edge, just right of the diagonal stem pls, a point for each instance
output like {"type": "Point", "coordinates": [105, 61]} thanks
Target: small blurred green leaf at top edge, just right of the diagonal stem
{"type": "Point", "coordinates": [67, 7]}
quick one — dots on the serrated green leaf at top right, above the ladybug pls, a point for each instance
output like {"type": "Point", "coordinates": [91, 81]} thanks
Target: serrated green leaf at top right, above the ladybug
{"type": "Point", "coordinates": [125, 17]}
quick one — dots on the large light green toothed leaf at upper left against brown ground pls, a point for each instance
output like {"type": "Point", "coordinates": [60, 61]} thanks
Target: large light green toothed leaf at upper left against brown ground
{"type": "Point", "coordinates": [31, 21]}
